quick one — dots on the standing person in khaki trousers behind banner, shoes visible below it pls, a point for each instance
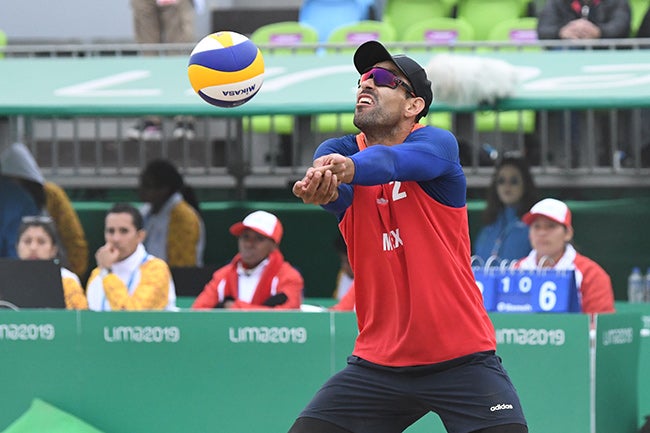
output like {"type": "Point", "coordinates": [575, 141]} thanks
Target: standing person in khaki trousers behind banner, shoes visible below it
{"type": "Point", "coordinates": [160, 22]}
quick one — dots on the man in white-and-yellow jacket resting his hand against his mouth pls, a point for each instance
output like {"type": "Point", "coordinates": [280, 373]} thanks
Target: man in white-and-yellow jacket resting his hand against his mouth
{"type": "Point", "coordinates": [127, 277]}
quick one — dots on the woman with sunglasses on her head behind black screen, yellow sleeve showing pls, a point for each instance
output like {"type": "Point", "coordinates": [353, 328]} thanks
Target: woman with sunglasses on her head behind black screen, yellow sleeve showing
{"type": "Point", "coordinates": [37, 241]}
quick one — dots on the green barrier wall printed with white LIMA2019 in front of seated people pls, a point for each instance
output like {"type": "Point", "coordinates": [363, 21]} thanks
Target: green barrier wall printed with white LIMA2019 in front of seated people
{"type": "Point", "coordinates": [243, 372]}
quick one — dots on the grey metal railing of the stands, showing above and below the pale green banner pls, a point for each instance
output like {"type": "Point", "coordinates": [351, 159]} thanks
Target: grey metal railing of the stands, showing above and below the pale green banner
{"type": "Point", "coordinates": [229, 153]}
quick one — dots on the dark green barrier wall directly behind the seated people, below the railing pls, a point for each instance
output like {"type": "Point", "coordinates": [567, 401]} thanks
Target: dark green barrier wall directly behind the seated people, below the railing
{"type": "Point", "coordinates": [612, 232]}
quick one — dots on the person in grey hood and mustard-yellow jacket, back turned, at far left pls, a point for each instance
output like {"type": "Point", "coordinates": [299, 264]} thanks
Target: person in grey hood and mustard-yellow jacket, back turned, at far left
{"type": "Point", "coordinates": [19, 163]}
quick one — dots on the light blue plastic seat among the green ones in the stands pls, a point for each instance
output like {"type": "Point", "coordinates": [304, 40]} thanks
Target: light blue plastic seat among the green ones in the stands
{"type": "Point", "coordinates": [326, 15]}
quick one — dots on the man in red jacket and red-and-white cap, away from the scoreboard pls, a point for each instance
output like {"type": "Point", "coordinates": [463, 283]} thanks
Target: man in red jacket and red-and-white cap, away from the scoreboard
{"type": "Point", "coordinates": [258, 277]}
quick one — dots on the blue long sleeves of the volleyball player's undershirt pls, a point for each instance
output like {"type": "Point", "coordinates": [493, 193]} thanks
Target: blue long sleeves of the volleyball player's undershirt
{"type": "Point", "coordinates": [428, 156]}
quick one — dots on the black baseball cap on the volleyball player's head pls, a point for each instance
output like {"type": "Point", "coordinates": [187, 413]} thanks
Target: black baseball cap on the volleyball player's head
{"type": "Point", "coordinates": [372, 52]}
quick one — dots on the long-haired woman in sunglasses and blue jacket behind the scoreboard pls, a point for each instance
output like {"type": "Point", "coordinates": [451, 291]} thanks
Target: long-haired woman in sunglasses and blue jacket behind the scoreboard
{"type": "Point", "coordinates": [510, 195]}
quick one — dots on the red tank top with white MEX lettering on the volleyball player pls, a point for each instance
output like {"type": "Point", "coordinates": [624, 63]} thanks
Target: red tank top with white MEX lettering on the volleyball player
{"type": "Point", "coordinates": [416, 299]}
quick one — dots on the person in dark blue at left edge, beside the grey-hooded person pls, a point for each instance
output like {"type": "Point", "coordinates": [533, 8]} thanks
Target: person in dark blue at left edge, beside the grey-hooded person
{"type": "Point", "coordinates": [15, 203]}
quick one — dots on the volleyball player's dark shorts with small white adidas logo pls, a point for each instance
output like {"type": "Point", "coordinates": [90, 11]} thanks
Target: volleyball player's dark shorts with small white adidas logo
{"type": "Point", "coordinates": [468, 393]}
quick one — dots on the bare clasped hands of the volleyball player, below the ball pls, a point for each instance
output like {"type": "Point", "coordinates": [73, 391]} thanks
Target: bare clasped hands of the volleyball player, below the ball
{"type": "Point", "coordinates": [321, 181]}
